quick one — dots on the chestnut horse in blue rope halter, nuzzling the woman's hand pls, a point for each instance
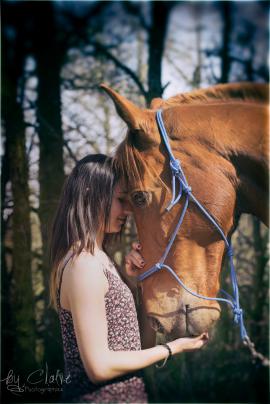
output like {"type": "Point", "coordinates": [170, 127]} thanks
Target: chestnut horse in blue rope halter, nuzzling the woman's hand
{"type": "Point", "coordinates": [220, 135]}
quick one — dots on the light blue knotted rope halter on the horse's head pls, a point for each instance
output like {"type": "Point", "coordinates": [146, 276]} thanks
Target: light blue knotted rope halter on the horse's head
{"type": "Point", "coordinates": [178, 177]}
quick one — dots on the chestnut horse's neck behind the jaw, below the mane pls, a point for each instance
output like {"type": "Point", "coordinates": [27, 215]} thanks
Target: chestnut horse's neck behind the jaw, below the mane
{"type": "Point", "coordinates": [237, 131]}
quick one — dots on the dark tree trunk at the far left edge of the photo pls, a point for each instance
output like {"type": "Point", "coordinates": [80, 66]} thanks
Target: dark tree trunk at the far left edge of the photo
{"type": "Point", "coordinates": [21, 298]}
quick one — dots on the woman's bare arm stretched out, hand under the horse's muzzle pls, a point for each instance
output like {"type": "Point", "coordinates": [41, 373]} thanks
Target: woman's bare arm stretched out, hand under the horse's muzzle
{"type": "Point", "coordinates": [87, 286]}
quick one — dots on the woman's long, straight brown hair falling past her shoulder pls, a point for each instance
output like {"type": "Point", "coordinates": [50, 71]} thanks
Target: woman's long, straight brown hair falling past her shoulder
{"type": "Point", "coordinates": [84, 209]}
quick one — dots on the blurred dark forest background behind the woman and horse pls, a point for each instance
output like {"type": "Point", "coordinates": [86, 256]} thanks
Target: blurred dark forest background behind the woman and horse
{"type": "Point", "coordinates": [54, 56]}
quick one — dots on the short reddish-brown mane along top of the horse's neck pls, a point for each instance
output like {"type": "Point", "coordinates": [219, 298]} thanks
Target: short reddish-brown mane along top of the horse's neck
{"type": "Point", "coordinates": [247, 92]}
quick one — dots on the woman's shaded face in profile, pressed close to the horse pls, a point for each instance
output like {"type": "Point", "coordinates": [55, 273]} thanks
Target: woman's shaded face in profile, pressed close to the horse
{"type": "Point", "coordinates": [120, 209]}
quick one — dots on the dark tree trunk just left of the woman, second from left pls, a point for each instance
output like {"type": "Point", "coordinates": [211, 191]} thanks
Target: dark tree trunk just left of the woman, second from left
{"type": "Point", "coordinates": [49, 56]}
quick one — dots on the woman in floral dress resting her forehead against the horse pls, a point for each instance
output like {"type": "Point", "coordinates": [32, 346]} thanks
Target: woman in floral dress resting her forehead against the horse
{"type": "Point", "coordinates": [101, 339]}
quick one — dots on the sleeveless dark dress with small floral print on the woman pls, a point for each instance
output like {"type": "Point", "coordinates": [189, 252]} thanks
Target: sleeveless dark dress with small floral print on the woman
{"type": "Point", "coordinates": [123, 335]}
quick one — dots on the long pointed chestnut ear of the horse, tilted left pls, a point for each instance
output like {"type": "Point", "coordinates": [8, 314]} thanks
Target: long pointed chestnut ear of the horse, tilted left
{"type": "Point", "coordinates": [135, 117]}
